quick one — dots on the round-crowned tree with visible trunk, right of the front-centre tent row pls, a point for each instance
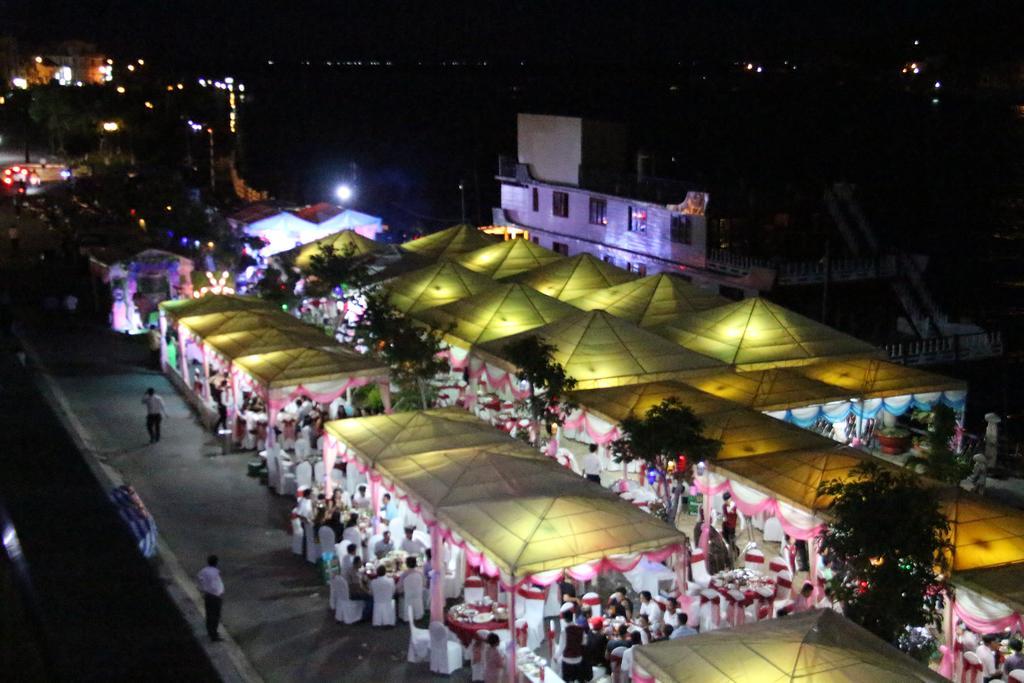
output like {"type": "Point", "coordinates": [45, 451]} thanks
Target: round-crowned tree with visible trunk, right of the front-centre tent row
{"type": "Point", "coordinates": [665, 433]}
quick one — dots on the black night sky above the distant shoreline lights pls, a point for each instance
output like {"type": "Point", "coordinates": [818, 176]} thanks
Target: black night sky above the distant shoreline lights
{"type": "Point", "coordinates": [216, 32]}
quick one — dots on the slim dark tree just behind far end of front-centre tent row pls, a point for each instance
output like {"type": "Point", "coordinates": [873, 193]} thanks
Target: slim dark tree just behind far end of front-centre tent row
{"type": "Point", "coordinates": [547, 381]}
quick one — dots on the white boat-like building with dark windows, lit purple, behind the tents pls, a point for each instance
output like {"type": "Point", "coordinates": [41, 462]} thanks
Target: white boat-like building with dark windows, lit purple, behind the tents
{"type": "Point", "coordinates": [568, 189]}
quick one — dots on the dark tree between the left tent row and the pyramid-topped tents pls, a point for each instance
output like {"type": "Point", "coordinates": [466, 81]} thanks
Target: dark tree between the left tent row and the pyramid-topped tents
{"type": "Point", "coordinates": [412, 352]}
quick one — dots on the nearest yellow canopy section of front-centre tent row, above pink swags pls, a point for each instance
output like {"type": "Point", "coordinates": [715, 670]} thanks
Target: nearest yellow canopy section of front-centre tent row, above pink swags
{"type": "Point", "coordinates": [532, 534]}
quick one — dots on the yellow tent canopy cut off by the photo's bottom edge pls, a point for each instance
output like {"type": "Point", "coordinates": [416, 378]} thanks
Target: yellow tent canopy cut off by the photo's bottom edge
{"type": "Point", "coordinates": [817, 647]}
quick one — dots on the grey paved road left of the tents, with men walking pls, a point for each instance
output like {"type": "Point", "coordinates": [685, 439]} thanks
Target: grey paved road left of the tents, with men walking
{"type": "Point", "coordinates": [276, 609]}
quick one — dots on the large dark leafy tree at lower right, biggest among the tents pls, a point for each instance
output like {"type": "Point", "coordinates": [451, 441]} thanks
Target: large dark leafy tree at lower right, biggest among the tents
{"type": "Point", "coordinates": [888, 543]}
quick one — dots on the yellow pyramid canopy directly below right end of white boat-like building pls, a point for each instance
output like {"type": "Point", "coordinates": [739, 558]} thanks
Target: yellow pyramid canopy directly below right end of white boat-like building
{"type": "Point", "coordinates": [652, 301]}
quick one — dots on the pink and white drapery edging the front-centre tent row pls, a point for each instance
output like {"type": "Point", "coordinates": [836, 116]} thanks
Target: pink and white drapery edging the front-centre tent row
{"type": "Point", "coordinates": [477, 559]}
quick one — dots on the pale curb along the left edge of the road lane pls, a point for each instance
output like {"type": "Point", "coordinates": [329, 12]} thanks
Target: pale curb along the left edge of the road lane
{"type": "Point", "coordinates": [228, 658]}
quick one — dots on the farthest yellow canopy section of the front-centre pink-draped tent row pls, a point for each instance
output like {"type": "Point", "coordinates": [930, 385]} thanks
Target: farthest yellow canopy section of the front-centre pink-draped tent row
{"type": "Point", "coordinates": [382, 437]}
